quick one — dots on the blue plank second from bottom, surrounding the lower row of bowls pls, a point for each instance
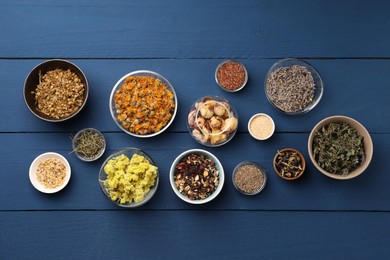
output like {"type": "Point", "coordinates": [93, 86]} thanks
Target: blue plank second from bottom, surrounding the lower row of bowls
{"type": "Point", "coordinates": [313, 191]}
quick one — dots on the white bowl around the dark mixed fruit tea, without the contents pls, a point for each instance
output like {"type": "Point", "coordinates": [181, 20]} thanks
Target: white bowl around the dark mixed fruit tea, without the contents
{"type": "Point", "coordinates": [208, 155]}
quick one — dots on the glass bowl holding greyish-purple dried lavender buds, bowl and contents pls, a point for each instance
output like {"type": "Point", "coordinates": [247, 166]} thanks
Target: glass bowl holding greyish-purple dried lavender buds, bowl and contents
{"type": "Point", "coordinates": [293, 86]}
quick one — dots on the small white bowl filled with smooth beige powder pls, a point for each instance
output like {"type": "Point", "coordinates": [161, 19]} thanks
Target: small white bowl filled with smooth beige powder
{"type": "Point", "coordinates": [261, 126]}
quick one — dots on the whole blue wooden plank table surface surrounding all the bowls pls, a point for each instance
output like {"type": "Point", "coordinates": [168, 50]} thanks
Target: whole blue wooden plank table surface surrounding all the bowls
{"type": "Point", "coordinates": [315, 217]}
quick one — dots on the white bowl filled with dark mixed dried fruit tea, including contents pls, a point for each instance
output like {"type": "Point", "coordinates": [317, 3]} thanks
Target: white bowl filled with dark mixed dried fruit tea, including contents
{"type": "Point", "coordinates": [196, 176]}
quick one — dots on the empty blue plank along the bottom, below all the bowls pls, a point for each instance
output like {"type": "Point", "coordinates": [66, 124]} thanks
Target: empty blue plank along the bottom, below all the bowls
{"type": "Point", "coordinates": [189, 234]}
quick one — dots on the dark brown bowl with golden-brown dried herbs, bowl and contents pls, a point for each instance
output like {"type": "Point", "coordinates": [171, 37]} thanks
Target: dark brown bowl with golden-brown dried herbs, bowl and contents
{"type": "Point", "coordinates": [55, 90]}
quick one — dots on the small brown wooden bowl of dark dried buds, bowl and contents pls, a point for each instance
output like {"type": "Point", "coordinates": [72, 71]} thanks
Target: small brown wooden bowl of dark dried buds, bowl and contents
{"type": "Point", "coordinates": [289, 164]}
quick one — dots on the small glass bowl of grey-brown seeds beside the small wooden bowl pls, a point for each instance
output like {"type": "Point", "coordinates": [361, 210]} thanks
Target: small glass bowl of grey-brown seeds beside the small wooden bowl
{"type": "Point", "coordinates": [249, 178]}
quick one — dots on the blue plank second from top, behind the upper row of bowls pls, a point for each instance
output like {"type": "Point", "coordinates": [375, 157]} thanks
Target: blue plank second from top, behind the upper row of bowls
{"type": "Point", "coordinates": [355, 88]}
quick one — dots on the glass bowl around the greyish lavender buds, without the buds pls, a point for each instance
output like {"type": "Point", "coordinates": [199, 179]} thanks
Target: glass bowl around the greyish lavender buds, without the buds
{"type": "Point", "coordinates": [318, 85]}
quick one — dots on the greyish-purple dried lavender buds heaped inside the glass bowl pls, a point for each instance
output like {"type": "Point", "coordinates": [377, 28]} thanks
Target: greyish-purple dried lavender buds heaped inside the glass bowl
{"type": "Point", "coordinates": [291, 89]}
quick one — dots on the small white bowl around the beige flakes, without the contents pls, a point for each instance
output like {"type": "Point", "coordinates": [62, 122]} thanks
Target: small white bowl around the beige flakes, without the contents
{"type": "Point", "coordinates": [34, 167]}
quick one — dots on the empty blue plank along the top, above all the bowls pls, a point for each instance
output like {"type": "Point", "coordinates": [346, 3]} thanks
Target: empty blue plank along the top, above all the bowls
{"type": "Point", "coordinates": [177, 29]}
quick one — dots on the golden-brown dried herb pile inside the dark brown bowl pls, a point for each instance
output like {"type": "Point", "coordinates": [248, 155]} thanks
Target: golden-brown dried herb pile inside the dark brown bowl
{"type": "Point", "coordinates": [60, 93]}
